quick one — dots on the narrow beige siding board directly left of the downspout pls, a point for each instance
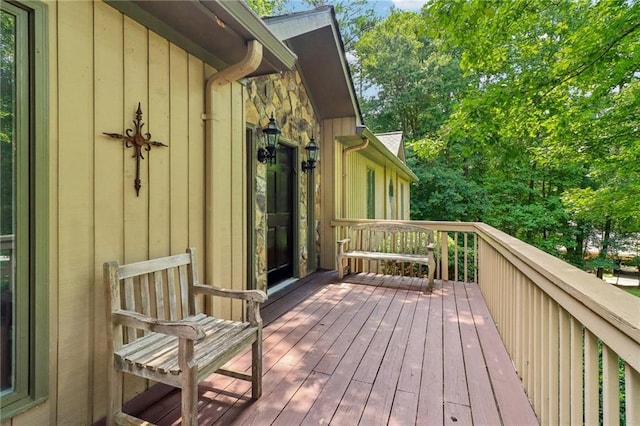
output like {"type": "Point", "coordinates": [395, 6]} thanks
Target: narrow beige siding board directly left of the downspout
{"type": "Point", "coordinates": [196, 164]}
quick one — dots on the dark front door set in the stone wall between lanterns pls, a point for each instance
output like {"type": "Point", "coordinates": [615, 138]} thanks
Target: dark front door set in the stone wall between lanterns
{"type": "Point", "coordinates": [280, 216]}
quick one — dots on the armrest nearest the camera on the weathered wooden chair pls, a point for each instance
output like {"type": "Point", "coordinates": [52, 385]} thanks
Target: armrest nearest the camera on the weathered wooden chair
{"type": "Point", "coordinates": [185, 329]}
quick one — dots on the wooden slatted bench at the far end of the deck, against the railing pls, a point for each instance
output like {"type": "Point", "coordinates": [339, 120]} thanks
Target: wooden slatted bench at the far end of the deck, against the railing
{"type": "Point", "coordinates": [389, 242]}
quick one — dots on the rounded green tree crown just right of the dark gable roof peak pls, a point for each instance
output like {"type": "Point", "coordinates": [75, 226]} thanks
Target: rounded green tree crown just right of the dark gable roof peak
{"type": "Point", "coordinates": [415, 81]}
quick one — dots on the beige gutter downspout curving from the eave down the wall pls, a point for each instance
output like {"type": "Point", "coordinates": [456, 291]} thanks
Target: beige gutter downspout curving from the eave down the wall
{"type": "Point", "coordinates": [247, 65]}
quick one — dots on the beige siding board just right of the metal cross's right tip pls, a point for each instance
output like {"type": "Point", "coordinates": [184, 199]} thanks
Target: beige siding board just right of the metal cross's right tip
{"type": "Point", "coordinates": [179, 149]}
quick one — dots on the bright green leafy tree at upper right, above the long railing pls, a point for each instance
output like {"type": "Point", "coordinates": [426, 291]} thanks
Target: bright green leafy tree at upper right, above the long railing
{"type": "Point", "coordinates": [554, 103]}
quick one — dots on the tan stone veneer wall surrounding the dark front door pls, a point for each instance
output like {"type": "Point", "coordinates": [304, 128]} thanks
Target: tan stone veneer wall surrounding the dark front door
{"type": "Point", "coordinates": [286, 98]}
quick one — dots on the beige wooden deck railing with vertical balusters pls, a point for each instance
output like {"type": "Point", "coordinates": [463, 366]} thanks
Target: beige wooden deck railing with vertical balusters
{"type": "Point", "coordinates": [573, 339]}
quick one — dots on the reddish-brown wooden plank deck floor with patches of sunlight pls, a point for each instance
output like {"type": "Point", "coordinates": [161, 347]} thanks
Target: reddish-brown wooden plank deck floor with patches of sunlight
{"type": "Point", "coordinates": [369, 350]}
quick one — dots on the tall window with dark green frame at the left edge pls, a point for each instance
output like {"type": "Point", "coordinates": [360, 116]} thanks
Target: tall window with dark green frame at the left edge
{"type": "Point", "coordinates": [23, 206]}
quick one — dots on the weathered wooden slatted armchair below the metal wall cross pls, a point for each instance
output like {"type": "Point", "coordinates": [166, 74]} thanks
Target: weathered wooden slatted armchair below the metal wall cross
{"type": "Point", "coordinates": [153, 331]}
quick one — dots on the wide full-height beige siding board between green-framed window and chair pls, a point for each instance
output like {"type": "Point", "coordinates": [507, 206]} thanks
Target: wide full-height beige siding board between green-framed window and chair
{"type": "Point", "coordinates": [75, 207]}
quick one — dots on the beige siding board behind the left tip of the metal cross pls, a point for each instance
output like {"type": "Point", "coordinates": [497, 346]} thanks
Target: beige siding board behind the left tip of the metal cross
{"type": "Point", "coordinates": [108, 179]}
